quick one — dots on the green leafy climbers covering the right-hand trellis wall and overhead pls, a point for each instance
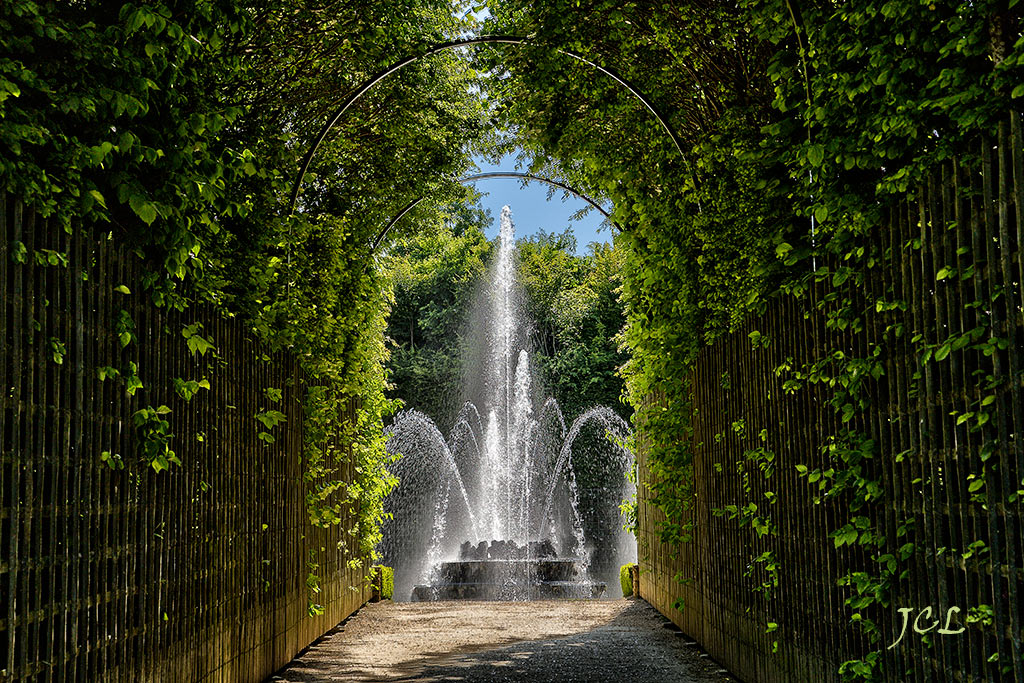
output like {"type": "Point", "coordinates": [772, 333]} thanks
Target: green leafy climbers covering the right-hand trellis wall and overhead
{"type": "Point", "coordinates": [802, 125]}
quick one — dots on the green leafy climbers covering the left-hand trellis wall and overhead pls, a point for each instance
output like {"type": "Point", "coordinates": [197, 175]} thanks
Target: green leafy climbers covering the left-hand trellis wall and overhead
{"type": "Point", "coordinates": [178, 127]}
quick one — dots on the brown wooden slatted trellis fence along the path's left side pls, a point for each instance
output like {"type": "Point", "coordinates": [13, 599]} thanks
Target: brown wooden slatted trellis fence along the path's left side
{"type": "Point", "coordinates": [122, 574]}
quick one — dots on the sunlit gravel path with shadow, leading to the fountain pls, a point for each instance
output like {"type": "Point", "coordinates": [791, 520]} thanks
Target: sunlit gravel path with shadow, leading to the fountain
{"type": "Point", "coordinates": [564, 642]}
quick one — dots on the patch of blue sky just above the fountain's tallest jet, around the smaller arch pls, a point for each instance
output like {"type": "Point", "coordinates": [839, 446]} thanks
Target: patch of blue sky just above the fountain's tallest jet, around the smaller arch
{"type": "Point", "coordinates": [533, 212]}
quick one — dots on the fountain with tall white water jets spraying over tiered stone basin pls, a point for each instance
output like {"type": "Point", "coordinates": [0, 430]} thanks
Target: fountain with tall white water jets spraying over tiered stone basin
{"type": "Point", "coordinates": [496, 510]}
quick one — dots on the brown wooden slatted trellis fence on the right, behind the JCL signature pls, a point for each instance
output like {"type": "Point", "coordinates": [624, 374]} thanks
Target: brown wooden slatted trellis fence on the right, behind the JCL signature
{"type": "Point", "coordinates": [928, 461]}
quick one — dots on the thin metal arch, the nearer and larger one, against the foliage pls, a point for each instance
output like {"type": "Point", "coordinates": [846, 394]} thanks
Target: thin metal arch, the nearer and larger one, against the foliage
{"type": "Point", "coordinates": [442, 48]}
